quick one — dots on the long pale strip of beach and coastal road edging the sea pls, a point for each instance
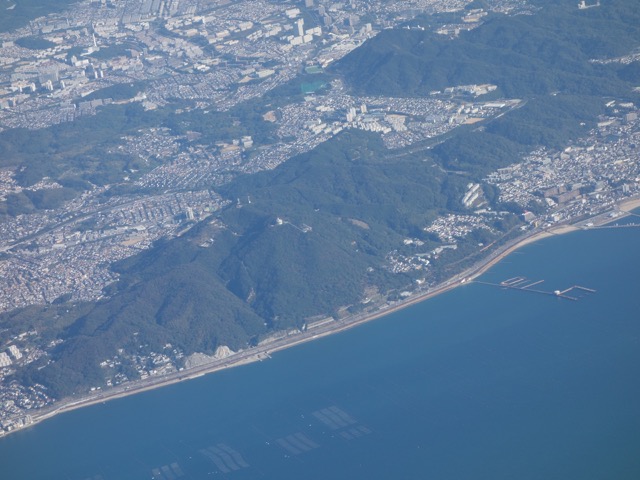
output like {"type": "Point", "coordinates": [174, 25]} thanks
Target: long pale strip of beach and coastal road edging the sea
{"type": "Point", "coordinates": [262, 352]}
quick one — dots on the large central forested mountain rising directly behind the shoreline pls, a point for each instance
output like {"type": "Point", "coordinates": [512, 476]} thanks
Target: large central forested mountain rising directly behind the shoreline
{"type": "Point", "coordinates": [302, 240]}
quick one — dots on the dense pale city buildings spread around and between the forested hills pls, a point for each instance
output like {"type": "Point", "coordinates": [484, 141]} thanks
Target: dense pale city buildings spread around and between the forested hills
{"type": "Point", "coordinates": [210, 57]}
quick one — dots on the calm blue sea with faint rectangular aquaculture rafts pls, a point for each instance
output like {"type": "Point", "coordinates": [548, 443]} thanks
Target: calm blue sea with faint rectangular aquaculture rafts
{"type": "Point", "coordinates": [478, 383]}
